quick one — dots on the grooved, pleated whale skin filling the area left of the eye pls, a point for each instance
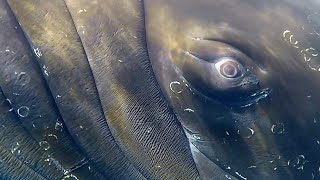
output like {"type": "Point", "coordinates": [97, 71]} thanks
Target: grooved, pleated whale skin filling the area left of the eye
{"type": "Point", "coordinates": [49, 81]}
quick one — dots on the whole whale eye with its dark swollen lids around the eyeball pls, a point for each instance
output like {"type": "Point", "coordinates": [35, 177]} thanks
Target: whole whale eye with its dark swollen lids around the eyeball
{"type": "Point", "coordinates": [219, 72]}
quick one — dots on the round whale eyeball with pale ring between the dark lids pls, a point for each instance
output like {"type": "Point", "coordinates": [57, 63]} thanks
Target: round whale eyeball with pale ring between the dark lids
{"type": "Point", "coordinates": [229, 68]}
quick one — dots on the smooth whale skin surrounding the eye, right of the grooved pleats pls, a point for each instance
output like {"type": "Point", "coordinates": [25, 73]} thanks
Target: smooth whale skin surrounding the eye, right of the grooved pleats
{"type": "Point", "coordinates": [274, 137]}
